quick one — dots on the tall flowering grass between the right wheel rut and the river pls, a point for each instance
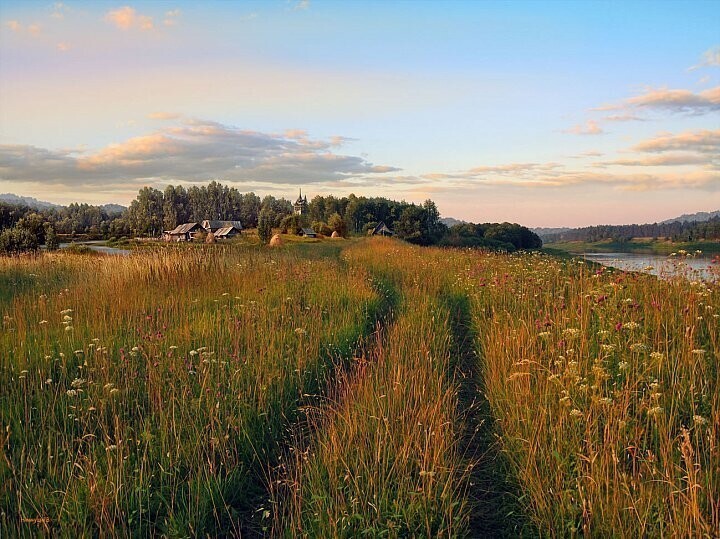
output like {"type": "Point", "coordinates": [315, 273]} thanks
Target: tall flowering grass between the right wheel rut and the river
{"type": "Point", "coordinates": [607, 389]}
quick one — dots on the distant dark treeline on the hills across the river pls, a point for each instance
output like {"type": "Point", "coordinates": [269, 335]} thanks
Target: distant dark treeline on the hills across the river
{"type": "Point", "coordinates": [675, 231]}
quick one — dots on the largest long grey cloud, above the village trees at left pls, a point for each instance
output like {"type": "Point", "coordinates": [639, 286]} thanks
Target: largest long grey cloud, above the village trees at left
{"type": "Point", "coordinates": [191, 151]}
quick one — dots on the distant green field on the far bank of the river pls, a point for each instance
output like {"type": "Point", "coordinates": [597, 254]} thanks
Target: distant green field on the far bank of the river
{"type": "Point", "coordinates": [640, 245]}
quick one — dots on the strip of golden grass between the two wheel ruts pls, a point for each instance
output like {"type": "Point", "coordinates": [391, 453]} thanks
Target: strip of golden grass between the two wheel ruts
{"type": "Point", "coordinates": [385, 459]}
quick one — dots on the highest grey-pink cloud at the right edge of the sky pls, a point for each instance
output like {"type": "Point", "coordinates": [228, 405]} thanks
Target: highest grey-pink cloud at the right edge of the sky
{"type": "Point", "coordinates": [673, 101]}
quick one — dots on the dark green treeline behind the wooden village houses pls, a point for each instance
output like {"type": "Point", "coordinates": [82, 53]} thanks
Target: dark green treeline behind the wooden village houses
{"type": "Point", "coordinates": [154, 210]}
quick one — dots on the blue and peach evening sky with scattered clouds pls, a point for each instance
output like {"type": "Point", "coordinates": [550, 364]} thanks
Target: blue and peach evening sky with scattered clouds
{"type": "Point", "coordinates": [543, 113]}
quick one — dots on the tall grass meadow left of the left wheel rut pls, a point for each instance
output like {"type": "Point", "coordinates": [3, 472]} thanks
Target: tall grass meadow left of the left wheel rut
{"type": "Point", "coordinates": [150, 394]}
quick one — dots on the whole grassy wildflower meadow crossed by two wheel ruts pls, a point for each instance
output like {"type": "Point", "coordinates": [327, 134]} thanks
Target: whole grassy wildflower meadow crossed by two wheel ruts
{"type": "Point", "coordinates": [348, 388]}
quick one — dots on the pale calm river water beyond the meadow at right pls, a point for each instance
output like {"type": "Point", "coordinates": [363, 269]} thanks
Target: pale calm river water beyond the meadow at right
{"type": "Point", "coordinates": [663, 266]}
